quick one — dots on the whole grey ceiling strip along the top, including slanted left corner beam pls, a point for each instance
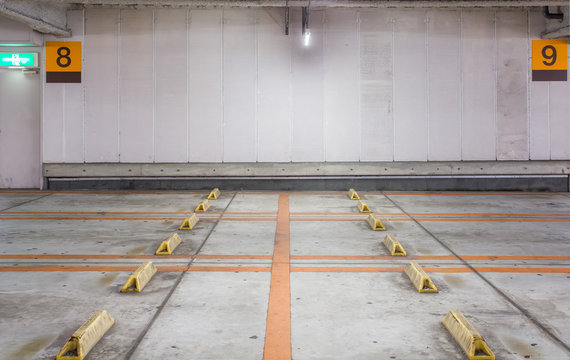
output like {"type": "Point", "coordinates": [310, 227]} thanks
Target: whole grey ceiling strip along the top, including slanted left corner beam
{"type": "Point", "coordinates": [49, 16]}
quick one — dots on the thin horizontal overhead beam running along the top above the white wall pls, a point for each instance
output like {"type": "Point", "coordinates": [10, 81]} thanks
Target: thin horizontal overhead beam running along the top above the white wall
{"type": "Point", "coordinates": [314, 3]}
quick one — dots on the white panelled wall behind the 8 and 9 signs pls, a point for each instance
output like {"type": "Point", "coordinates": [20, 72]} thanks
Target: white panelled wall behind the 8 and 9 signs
{"type": "Point", "coordinates": [176, 85]}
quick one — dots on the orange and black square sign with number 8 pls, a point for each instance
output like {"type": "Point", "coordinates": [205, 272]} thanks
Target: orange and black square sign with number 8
{"type": "Point", "coordinates": [63, 61]}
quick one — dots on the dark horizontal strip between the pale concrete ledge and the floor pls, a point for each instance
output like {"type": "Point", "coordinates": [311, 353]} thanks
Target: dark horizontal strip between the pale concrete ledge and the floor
{"type": "Point", "coordinates": [552, 183]}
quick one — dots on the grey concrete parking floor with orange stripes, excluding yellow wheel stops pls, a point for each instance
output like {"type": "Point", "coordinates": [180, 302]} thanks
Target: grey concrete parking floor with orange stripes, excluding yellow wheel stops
{"type": "Point", "coordinates": [503, 259]}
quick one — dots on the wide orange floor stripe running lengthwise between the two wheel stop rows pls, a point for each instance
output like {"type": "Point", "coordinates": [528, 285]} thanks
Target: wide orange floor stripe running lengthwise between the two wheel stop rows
{"type": "Point", "coordinates": [278, 330]}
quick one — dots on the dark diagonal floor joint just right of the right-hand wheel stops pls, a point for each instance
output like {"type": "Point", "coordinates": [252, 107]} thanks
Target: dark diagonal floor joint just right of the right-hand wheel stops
{"type": "Point", "coordinates": [540, 325]}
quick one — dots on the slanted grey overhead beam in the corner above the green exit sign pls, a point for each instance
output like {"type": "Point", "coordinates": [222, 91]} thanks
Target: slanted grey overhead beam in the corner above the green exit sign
{"type": "Point", "coordinates": [44, 17]}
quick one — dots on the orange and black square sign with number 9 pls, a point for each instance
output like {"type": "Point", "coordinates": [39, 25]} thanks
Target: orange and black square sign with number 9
{"type": "Point", "coordinates": [549, 60]}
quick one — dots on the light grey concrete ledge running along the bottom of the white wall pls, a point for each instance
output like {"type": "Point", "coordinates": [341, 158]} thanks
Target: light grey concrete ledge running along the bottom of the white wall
{"type": "Point", "coordinates": [315, 169]}
